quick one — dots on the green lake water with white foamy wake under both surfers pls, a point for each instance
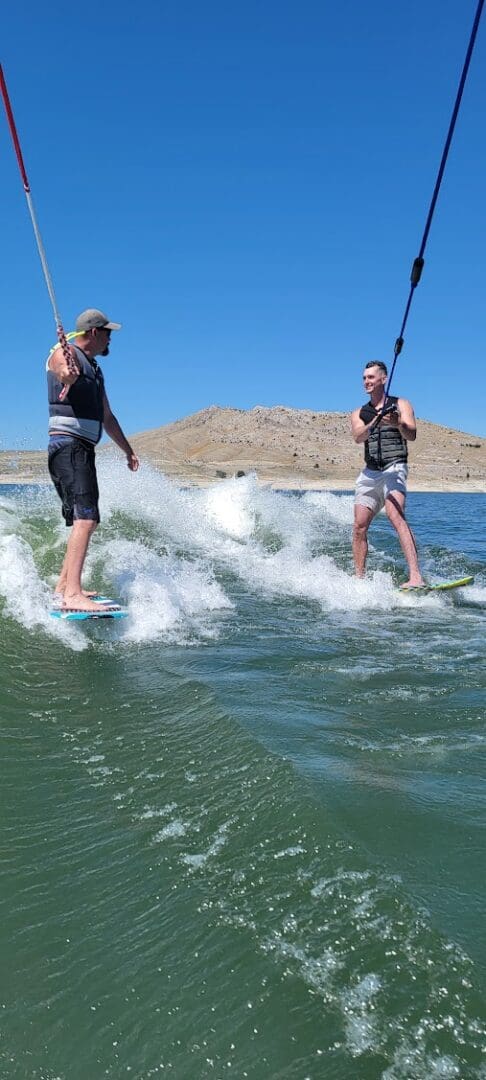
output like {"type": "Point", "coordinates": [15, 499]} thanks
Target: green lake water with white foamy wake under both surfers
{"type": "Point", "coordinates": [244, 830]}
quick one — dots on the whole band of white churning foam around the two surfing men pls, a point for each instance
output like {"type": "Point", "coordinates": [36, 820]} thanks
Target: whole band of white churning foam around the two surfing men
{"type": "Point", "coordinates": [171, 556]}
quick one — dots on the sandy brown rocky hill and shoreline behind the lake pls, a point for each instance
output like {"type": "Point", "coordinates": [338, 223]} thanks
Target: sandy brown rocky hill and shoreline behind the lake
{"type": "Point", "coordinates": [286, 448]}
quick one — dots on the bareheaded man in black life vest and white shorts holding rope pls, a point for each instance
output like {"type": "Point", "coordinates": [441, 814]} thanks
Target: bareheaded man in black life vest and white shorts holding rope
{"type": "Point", "coordinates": [385, 427]}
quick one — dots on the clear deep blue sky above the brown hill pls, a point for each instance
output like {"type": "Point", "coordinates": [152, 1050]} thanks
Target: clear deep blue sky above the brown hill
{"type": "Point", "coordinates": [245, 186]}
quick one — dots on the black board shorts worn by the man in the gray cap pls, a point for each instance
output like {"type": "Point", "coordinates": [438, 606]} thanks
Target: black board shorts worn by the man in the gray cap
{"type": "Point", "coordinates": [72, 466]}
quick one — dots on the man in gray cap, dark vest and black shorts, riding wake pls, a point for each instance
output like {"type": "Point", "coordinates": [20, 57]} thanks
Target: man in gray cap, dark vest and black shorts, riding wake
{"type": "Point", "coordinates": [78, 414]}
